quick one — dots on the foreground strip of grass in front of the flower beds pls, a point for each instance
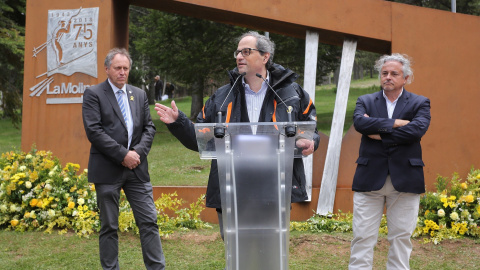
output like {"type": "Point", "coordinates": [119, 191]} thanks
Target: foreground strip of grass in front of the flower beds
{"type": "Point", "coordinates": [203, 250]}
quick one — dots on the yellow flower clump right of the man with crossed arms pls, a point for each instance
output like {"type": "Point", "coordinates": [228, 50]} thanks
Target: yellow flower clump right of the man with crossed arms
{"type": "Point", "coordinates": [451, 212]}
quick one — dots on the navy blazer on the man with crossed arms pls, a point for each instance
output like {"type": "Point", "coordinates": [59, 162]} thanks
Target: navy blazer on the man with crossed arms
{"type": "Point", "coordinates": [399, 152]}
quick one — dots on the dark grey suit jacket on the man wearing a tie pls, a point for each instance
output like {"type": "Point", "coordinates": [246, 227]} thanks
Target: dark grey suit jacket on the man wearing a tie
{"type": "Point", "coordinates": [107, 132]}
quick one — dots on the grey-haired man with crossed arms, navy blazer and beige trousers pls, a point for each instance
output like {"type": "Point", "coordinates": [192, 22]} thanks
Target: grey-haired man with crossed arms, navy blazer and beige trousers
{"type": "Point", "coordinates": [390, 166]}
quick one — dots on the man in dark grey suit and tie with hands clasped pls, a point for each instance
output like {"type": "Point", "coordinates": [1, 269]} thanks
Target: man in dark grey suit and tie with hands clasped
{"type": "Point", "coordinates": [119, 127]}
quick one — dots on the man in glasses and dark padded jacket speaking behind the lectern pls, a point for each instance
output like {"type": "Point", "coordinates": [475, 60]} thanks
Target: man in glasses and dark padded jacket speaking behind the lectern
{"type": "Point", "coordinates": [250, 100]}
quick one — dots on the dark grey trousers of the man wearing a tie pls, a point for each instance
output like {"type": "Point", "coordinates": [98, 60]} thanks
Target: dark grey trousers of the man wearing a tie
{"type": "Point", "coordinates": [139, 195]}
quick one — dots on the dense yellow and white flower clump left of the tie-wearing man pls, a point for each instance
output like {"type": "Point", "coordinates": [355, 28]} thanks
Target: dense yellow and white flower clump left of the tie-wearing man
{"type": "Point", "coordinates": [36, 193]}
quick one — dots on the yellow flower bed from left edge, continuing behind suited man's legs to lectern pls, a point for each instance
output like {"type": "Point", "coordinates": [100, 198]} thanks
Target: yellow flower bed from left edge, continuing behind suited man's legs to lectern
{"type": "Point", "coordinates": [36, 193]}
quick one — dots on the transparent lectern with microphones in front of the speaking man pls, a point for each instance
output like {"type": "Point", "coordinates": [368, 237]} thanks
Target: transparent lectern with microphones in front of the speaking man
{"type": "Point", "coordinates": [255, 163]}
